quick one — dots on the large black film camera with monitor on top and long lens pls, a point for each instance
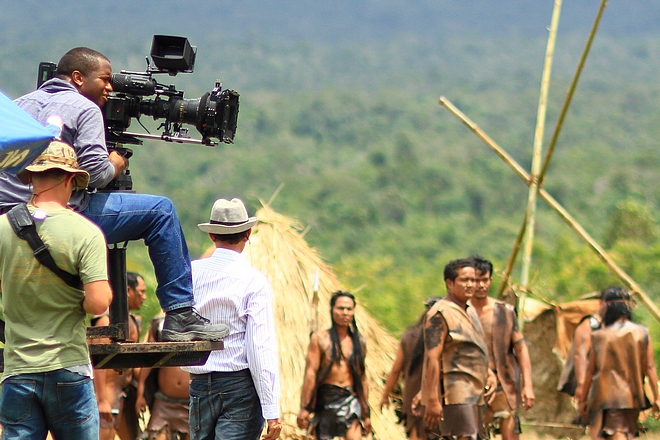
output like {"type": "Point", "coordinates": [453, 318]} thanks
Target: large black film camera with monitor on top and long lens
{"type": "Point", "coordinates": [215, 114]}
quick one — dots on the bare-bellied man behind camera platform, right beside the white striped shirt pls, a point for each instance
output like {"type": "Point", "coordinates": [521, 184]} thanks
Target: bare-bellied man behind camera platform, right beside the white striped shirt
{"type": "Point", "coordinates": [169, 405]}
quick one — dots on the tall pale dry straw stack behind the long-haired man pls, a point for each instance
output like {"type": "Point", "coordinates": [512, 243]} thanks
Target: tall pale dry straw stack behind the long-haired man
{"type": "Point", "coordinates": [278, 249]}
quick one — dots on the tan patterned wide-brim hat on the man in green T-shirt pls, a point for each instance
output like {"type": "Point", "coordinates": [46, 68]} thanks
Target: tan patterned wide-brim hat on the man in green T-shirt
{"type": "Point", "coordinates": [58, 155]}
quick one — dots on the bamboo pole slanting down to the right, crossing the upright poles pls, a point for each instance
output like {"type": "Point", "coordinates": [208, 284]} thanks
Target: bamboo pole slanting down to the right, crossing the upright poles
{"type": "Point", "coordinates": [570, 221]}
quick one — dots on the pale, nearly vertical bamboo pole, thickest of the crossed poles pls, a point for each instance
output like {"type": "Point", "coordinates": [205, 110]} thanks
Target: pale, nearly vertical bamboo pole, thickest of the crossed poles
{"type": "Point", "coordinates": [530, 214]}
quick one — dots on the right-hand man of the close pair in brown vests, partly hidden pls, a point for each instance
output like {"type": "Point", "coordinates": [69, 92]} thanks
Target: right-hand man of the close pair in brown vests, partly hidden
{"type": "Point", "coordinates": [508, 353]}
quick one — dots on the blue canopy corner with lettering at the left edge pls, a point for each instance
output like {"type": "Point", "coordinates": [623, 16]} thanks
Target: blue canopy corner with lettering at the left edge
{"type": "Point", "coordinates": [22, 138]}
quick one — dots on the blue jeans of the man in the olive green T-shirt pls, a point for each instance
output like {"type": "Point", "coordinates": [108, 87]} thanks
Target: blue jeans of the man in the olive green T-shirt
{"type": "Point", "coordinates": [60, 401]}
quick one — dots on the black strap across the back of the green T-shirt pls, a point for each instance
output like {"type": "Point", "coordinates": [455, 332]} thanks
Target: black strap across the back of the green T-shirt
{"type": "Point", "coordinates": [23, 225]}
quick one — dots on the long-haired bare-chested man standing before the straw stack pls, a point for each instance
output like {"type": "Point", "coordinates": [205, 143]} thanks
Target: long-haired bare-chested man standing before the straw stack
{"type": "Point", "coordinates": [336, 387]}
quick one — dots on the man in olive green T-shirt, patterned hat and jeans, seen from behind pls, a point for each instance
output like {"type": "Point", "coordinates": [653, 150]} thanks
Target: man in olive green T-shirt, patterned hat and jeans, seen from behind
{"type": "Point", "coordinates": [47, 380]}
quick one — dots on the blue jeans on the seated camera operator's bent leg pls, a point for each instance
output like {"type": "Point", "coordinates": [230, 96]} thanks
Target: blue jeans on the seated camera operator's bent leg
{"type": "Point", "coordinates": [124, 216]}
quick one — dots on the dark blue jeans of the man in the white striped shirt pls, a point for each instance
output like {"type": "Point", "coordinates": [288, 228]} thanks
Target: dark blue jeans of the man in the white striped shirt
{"type": "Point", "coordinates": [224, 406]}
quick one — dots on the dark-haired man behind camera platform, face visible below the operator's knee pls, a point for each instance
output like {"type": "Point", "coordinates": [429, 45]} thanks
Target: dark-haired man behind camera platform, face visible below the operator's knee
{"type": "Point", "coordinates": [110, 385]}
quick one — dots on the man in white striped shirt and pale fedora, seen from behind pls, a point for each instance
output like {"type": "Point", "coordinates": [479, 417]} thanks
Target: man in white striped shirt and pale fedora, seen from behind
{"type": "Point", "coordinates": [238, 387]}
